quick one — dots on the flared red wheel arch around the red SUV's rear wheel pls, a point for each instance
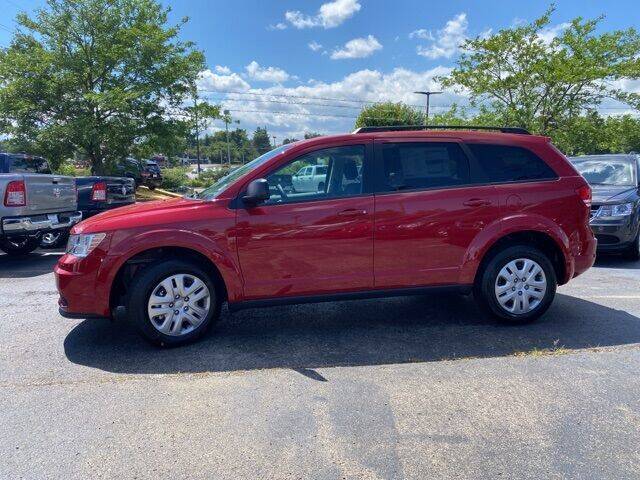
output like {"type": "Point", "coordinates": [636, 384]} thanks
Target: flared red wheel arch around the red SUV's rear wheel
{"type": "Point", "coordinates": [521, 222]}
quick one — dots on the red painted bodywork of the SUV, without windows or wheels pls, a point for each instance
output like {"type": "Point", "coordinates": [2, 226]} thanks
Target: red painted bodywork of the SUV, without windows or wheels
{"type": "Point", "coordinates": [371, 241]}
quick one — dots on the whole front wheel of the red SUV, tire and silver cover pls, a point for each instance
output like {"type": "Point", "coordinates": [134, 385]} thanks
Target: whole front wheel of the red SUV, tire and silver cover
{"type": "Point", "coordinates": [173, 302]}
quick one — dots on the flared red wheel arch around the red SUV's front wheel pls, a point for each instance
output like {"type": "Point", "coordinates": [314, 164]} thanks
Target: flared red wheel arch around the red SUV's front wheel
{"type": "Point", "coordinates": [218, 249]}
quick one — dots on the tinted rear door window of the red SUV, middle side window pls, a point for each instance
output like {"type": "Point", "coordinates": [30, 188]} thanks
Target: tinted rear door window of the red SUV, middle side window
{"type": "Point", "coordinates": [416, 166]}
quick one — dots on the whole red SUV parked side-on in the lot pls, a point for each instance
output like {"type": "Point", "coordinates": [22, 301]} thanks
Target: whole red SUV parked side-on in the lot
{"type": "Point", "coordinates": [399, 211]}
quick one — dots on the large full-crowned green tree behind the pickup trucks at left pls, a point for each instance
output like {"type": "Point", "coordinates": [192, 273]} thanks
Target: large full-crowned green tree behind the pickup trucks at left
{"type": "Point", "coordinates": [95, 77]}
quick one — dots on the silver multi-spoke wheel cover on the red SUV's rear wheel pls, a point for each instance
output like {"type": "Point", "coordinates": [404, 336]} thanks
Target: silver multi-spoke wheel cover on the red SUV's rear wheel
{"type": "Point", "coordinates": [520, 286]}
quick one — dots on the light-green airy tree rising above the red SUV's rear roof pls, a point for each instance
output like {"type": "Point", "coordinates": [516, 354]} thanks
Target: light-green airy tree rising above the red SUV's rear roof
{"type": "Point", "coordinates": [540, 84]}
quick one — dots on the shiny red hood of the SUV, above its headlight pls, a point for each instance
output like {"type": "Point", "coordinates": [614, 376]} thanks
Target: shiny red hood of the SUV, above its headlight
{"type": "Point", "coordinates": [156, 213]}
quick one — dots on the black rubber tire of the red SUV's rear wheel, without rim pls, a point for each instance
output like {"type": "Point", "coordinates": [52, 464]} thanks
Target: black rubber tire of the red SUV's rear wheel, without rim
{"type": "Point", "coordinates": [484, 290]}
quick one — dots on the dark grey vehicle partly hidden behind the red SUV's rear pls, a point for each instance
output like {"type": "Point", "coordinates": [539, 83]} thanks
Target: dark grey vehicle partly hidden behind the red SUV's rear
{"type": "Point", "coordinates": [615, 210]}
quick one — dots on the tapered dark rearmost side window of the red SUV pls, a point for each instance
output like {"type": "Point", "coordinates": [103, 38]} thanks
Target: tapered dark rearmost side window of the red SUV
{"type": "Point", "coordinates": [501, 163]}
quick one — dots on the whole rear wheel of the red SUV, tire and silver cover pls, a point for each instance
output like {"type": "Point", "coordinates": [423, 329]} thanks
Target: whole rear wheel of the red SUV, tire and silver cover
{"type": "Point", "coordinates": [517, 285]}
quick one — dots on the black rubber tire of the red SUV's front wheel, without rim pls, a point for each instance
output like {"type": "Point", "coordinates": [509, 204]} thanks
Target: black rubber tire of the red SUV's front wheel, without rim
{"type": "Point", "coordinates": [143, 285]}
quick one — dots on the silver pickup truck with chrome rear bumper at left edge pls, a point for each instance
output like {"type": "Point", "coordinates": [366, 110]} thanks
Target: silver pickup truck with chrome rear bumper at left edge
{"type": "Point", "coordinates": [33, 202]}
